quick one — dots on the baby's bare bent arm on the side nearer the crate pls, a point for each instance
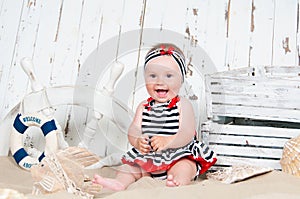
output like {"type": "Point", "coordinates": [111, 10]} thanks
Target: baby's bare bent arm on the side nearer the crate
{"type": "Point", "coordinates": [186, 131]}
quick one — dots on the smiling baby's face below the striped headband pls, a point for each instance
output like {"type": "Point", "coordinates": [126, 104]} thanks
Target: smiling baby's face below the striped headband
{"type": "Point", "coordinates": [163, 78]}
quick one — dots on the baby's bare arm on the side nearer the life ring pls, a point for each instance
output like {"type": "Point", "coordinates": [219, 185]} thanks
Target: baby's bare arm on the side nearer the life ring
{"type": "Point", "coordinates": [135, 136]}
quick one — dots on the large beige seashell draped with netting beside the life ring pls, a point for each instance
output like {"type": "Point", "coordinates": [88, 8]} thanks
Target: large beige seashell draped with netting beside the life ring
{"type": "Point", "coordinates": [64, 170]}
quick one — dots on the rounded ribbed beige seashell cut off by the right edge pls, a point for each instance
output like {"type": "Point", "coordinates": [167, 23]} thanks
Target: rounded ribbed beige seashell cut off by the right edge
{"type": "Point", "coordinates": [290, 160]}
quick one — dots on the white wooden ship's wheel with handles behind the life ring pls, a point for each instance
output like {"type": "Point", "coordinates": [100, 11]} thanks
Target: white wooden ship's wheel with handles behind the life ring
{"type": "Point", "coordinates": [43, 99]}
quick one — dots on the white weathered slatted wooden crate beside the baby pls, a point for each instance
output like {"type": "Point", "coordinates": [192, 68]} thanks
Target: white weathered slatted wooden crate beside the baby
{"type": "Point", "coordinates": [263, 95]}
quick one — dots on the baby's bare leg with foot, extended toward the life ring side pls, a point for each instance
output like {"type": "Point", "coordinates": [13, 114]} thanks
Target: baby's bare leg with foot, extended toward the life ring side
{"type": "Point", "coordinates": [125, 176]}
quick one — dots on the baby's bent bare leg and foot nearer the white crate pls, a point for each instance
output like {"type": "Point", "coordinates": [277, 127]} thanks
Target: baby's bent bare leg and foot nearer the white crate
{"type": "Point", "coordinates": [181, 173]}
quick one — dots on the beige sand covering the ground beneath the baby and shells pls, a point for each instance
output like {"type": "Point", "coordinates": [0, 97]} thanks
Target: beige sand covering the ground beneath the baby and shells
{"type": "Point", "coordinates": [272, 185]}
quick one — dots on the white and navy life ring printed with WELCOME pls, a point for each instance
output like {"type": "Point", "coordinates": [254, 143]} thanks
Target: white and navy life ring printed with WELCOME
{"type": "Point", "coordinates": [20, 125]}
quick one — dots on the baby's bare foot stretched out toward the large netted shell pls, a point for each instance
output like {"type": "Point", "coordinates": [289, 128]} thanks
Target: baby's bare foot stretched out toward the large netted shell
{"type": "Point", "coordinates": [108, 183]}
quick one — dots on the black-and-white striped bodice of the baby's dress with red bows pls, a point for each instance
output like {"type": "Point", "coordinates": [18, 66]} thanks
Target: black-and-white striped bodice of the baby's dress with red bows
{"type": "Point", "coordinates": [160, 119]}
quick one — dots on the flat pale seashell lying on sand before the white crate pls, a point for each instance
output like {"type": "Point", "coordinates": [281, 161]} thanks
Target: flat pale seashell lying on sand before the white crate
{"type": "Point", "coordinates": [237, 173]}
